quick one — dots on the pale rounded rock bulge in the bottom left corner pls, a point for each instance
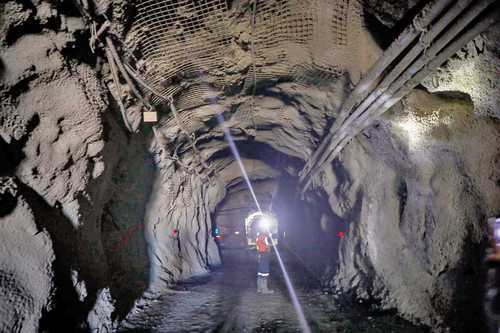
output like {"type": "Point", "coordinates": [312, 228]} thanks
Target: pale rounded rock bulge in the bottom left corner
{"type": "Point", "coordinates": [25, 285]}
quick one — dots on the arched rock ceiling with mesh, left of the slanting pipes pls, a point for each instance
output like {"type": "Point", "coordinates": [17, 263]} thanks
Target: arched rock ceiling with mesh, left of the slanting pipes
{"type": "Point", "coordinates": [209, 58]}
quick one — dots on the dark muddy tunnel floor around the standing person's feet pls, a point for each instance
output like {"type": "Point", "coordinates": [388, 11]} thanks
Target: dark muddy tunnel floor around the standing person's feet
{"type": "Point", "coordinates": [226, 301]}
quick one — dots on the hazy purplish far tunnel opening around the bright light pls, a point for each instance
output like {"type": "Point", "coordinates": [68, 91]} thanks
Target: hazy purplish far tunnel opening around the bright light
{"type": "Point", "coordinates": [308, 232]}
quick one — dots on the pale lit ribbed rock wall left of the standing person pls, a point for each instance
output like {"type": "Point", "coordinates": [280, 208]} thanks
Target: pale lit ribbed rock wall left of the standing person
{"type": "Point", "coordinates": [179, 227]}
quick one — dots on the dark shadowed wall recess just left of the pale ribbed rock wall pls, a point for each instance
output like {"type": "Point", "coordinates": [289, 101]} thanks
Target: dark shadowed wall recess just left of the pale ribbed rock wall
{"type": "Point", "coordinates": [122, 226]}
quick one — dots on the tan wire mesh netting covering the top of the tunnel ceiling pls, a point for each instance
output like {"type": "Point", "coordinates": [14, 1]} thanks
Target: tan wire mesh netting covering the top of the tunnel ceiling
{"type": "Point", "coordinates": [193, 50]}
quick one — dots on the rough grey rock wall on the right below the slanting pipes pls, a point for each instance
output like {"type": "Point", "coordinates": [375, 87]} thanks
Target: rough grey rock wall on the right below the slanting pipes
{"type": "Point", "coordinates": [421, 197]}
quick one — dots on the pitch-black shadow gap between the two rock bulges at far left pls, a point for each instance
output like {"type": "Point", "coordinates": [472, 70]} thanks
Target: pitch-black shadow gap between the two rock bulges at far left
{"type": "Point", "coordinates": [67, 311]}
